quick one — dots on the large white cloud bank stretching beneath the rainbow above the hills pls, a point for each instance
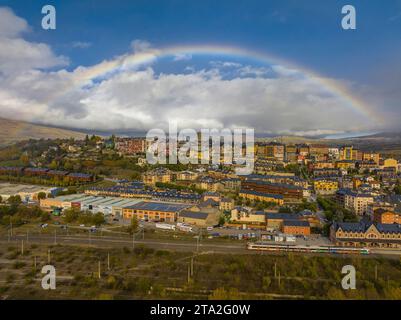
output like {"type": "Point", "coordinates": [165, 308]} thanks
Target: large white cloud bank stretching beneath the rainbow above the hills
{"type": "Point", "coordinates": [133, 99]}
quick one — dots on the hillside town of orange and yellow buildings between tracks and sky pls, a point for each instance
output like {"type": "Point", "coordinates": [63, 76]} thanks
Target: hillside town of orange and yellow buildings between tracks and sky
{"type": "Point", "coordinates": [300, 197]}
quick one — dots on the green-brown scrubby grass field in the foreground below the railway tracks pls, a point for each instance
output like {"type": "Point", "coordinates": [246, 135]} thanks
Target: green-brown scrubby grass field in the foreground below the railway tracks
{"type": "Point", "coordinates": [145, 273]}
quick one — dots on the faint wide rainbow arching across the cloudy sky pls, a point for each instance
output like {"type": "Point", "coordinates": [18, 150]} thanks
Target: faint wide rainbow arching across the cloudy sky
{"type": "Point", "coordinates": [84, 76]}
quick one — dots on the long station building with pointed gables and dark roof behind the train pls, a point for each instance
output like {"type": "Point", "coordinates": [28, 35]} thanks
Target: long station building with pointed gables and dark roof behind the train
{"type": "Point", "coordinates": [360, 234]}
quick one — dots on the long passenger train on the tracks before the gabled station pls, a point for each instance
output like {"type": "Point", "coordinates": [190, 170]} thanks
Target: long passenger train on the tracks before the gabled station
{"type": "Point", "coordinates": [263, 246]}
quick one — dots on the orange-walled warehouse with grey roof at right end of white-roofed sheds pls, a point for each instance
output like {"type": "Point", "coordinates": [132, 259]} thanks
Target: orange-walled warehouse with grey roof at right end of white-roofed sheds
{"type": "Point", "coordinates": [155, 211]}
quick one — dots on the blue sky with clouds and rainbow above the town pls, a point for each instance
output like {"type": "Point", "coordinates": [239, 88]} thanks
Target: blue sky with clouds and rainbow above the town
{"type": "Point", "coordinates": [280, 67]}
